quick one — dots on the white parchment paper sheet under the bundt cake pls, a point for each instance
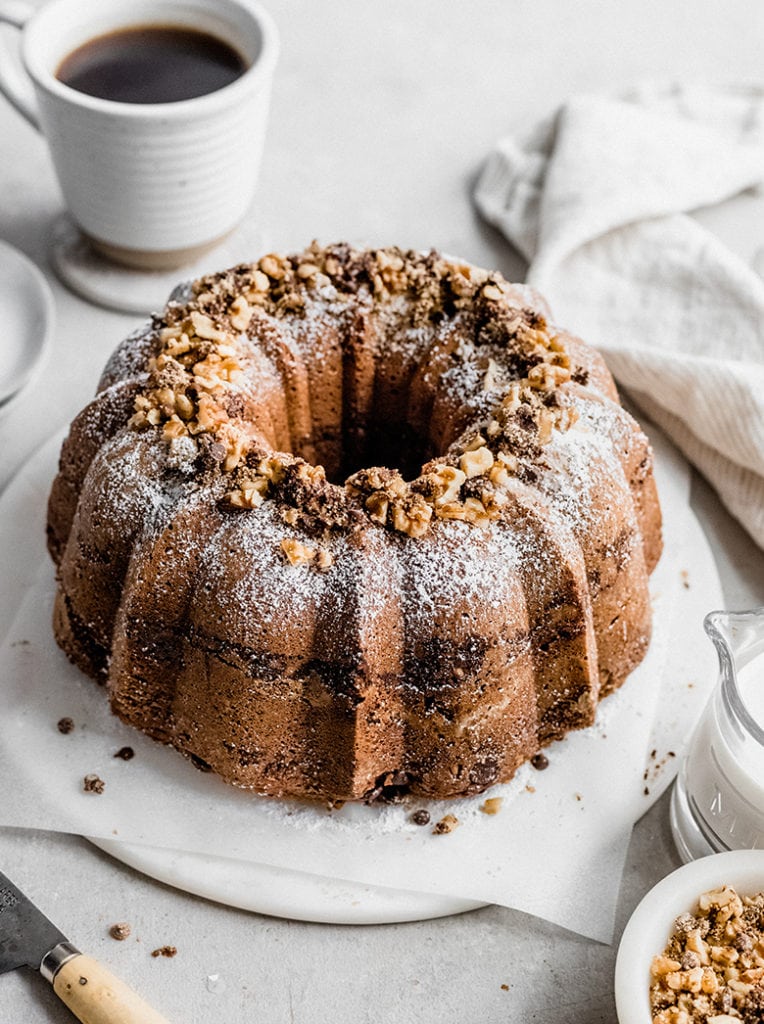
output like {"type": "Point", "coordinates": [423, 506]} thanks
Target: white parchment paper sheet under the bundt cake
{"type": "Point", "coordinates": [556, 850]}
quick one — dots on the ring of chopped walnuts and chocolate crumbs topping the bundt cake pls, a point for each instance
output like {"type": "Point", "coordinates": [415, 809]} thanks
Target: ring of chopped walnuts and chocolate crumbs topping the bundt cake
{"type": "Point", "coordinates": [194, 394]}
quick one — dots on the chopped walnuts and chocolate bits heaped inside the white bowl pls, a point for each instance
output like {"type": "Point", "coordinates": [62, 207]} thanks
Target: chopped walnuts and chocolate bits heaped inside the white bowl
{"type": "Point", "coordinates": [712, 971]}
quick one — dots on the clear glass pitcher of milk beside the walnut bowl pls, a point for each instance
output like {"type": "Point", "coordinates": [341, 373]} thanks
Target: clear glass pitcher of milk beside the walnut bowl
{"type": "Point", "coordinates": [718, 799]}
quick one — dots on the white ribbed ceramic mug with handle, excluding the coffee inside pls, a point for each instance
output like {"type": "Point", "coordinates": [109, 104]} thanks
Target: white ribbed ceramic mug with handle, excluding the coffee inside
{"type": "Point", "coordinates": [151, 185]}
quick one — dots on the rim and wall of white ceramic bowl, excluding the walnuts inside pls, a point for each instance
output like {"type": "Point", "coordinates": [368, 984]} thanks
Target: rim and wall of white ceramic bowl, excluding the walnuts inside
{"type": "Point", "coordinates": [653, 923]}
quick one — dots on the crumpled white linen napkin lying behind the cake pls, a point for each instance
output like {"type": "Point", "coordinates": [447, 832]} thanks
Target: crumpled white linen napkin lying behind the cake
{"type": "Point", "coordinates": [597, 199]}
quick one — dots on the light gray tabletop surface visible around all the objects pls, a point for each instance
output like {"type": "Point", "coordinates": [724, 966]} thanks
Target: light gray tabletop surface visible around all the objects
{"type": "Point", "coordinates": [381, 116]}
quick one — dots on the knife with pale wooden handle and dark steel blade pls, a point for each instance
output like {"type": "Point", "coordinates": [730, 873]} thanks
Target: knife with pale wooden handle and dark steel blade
{"type": "Point", "coordinates": [94, 996]}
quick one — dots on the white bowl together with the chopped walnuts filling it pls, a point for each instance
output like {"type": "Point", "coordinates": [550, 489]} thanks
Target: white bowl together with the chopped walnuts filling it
{"type": "Point", "coordinates": [694, 951]}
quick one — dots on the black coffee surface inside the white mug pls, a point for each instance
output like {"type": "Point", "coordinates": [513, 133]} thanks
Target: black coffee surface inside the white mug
{"type": "Point", "coordinates": [152, 65]}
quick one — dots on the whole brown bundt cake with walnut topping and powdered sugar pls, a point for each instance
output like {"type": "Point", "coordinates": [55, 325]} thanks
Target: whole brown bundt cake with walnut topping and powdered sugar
{"type": "Point", "coordinates": [256, 588]}
